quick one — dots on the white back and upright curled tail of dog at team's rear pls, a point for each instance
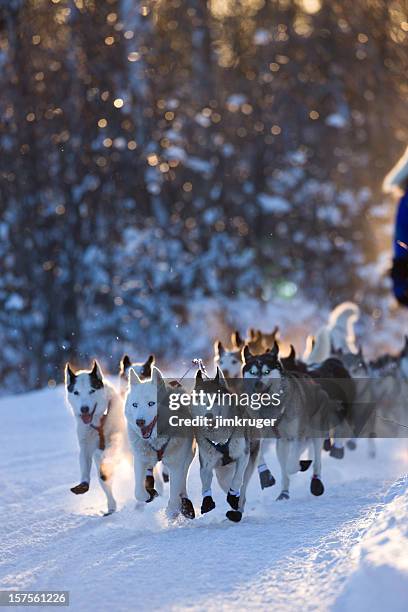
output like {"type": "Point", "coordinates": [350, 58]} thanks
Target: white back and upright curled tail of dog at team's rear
{"type": "Point", "coordinates": [338, 334]}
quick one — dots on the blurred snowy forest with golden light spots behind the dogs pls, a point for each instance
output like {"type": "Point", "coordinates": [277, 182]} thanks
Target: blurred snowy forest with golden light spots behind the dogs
{"type": "Point", "coordinates": [161, 153]}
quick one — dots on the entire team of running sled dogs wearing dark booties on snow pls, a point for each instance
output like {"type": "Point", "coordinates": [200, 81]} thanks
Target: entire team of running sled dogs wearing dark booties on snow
{"type": "Point", "coordinates": [108, 421]}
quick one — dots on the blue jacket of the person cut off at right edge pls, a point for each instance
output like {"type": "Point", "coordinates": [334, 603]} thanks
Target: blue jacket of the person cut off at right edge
{"type": "Point", "coordinates": [399, 271]}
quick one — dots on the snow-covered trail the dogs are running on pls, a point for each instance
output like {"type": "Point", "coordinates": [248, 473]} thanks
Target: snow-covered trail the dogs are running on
{"type": "Point", "coordinates": [286, 555]}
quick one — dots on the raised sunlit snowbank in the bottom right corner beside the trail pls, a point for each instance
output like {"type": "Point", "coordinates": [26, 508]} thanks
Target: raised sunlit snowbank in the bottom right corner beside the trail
{"type": "Point", "coordinates": [380, 581]}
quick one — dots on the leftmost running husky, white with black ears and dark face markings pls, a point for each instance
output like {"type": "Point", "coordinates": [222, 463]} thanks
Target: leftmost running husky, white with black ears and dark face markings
{"type": "Point", "coordinates": [98, 412]}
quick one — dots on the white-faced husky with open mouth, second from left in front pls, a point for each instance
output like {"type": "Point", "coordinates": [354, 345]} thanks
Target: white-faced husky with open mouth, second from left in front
{"type": "Point", "coordinates": [141, 411]}
